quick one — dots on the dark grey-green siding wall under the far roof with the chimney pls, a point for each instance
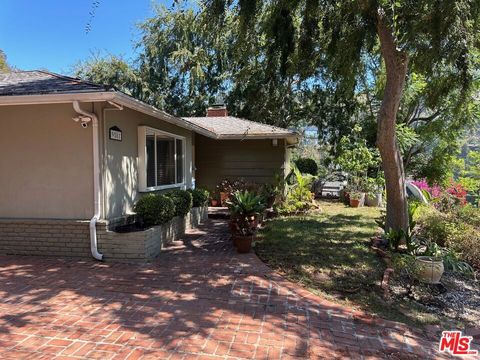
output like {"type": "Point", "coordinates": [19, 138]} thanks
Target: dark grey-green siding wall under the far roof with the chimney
{"type": "Point", "coordinates": [253, 160]}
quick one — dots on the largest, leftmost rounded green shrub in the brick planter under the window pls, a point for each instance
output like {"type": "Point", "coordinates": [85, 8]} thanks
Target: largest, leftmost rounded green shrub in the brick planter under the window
{"type": "Point", "coordinates": [154, 209]}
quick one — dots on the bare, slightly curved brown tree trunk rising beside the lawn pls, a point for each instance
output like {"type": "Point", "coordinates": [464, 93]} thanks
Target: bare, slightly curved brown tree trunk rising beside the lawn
{"type": "Point", "coordinates": [396, 64]}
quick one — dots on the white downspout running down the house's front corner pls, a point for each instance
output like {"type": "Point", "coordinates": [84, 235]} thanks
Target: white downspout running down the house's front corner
{"type": "Point", "coordinates": [96, 183]}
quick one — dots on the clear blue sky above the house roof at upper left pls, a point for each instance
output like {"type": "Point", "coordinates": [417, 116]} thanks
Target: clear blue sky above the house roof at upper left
{"type": "Point", "coordinates": [51, 34]}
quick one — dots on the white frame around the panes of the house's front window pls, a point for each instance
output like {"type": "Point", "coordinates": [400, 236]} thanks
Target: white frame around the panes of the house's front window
{"type": "Point", "coordinates": [142, 159]}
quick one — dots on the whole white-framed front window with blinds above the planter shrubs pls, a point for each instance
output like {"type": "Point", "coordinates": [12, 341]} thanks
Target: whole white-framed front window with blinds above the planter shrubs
{"type": "Point", "coordinates": [161, 159]}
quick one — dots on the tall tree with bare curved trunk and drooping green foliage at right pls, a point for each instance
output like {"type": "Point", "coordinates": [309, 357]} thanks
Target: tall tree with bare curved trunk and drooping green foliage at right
{"type": "Point", "coordinates": [309, 37]}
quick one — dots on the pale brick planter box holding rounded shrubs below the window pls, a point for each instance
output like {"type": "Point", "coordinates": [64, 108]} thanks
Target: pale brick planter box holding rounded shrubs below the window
{"type": "Point", "coordinates": [146, 245]}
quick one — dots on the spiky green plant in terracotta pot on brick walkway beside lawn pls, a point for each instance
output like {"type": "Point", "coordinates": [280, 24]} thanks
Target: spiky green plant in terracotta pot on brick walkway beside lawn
{"type": "Point", "coordinates": [245, 208]}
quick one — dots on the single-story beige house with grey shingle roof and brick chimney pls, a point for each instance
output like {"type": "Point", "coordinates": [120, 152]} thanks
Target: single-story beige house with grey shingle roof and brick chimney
{"type": "Point", "coordinates": [76, 156]}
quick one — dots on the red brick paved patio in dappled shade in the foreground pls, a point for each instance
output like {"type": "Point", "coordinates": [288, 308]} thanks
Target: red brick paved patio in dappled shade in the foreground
{"type": "Point", "coordinates": [199, 300]}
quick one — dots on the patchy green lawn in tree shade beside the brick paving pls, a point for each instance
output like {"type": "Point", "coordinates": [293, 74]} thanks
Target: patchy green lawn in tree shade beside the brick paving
{"type": "Point", "coordinates": [329, 253]}
